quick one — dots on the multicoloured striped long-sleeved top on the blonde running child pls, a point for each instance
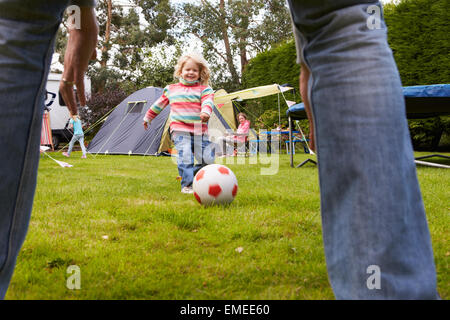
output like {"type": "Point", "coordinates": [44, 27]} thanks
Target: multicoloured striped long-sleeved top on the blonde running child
{"type": "Point", "coordinates": [187, 101]}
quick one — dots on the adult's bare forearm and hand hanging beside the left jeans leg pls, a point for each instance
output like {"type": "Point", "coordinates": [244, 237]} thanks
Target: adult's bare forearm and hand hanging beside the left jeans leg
{"type": "Point", "coordinates": [80, 49]}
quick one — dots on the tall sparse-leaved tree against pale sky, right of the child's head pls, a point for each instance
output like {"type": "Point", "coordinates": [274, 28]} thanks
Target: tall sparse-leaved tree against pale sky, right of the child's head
{"type": "Point", "coordinates": [230, 31]}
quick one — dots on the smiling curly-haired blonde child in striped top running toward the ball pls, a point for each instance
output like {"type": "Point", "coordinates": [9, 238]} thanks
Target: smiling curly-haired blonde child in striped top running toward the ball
{"type": "Point", "coordinates": [191, 104]}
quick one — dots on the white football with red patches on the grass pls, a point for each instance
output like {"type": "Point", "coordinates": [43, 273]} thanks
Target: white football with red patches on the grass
{"type": "Point", "coordinates": [215, 184]}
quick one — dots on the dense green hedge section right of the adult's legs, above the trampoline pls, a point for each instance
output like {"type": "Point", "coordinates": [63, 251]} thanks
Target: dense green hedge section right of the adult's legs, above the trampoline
{"type": "Point", "coordinates": [418, 34]}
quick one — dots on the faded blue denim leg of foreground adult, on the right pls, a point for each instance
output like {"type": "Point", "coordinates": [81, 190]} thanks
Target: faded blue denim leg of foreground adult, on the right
{"type": "Point", "coordinates": [373, 217]}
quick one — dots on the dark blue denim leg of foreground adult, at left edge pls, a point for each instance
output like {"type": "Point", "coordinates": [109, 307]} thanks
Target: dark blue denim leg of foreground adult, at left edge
{"type": "Point", "coordinates": [27, 32]}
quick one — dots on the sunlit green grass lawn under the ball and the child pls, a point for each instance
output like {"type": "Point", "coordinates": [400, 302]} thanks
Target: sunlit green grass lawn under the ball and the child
{"type": "Point", "coordinates": [123, 221]}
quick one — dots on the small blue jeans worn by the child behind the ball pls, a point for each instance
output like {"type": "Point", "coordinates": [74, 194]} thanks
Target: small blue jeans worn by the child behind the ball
{"type": "Point", "coordinates": [190, 147]}
